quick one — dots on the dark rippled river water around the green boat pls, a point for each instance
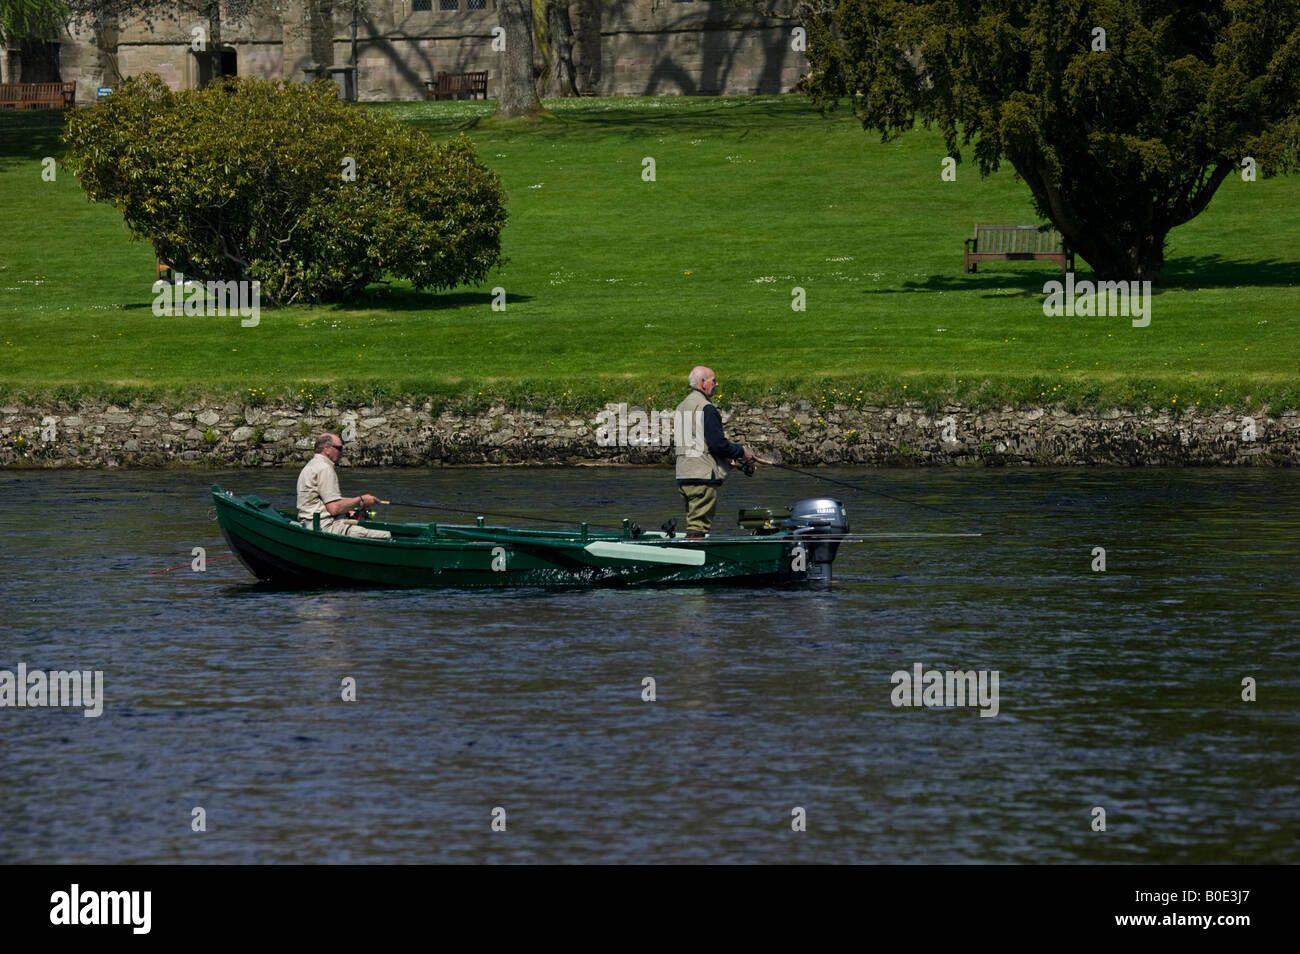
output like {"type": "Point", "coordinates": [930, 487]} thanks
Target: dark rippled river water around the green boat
{"type": "Point", "coordinates": [1119, 690]}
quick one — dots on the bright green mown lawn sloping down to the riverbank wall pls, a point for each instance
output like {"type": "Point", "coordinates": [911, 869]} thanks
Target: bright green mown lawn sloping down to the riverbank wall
{"type": "Point", "coordinates": [618, 287]}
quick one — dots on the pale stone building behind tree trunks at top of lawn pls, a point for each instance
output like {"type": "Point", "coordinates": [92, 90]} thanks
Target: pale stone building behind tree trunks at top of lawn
{"type": "Point", "coordinates": [586, 47]}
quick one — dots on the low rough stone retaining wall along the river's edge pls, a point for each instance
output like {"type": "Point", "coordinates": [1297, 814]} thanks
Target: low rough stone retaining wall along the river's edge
{"type": "Point", "coordinates": [151, 435]}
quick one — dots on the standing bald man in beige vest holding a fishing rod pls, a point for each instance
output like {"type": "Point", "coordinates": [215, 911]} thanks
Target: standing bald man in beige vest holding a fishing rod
{"type": "Point", "coordinates": [704, 452]}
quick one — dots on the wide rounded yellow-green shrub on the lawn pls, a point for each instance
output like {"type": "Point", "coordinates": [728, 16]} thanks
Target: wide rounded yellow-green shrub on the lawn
{"type": "Point", "coordinates": [249, 180]}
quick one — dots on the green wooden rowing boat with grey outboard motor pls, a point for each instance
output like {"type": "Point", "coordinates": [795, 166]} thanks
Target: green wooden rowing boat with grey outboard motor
{"type": "Point", "coordinates": [278, 549]}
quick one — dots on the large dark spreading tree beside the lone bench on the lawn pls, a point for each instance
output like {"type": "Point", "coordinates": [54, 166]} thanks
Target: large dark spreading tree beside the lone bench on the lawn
{"type": "Point", "coordinates": [1121, 137]}
